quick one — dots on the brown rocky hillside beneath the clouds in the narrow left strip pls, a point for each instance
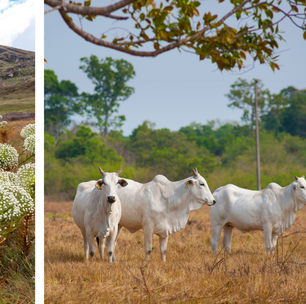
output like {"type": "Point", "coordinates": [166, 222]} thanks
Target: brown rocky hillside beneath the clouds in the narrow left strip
{"type": "Point", "coordinates": [17, 80]}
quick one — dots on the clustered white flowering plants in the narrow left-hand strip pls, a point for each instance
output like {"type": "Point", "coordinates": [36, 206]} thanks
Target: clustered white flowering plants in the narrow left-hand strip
{"type": "Point", "coordinates": [17, 193]}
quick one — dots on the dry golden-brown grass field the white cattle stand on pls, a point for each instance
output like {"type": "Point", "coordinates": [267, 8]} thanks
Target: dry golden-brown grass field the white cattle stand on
{"type": "Point", "coordinates": [190, 275]}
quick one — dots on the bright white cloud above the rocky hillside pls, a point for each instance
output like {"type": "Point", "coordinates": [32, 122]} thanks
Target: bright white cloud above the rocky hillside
{"type": "Point", "coordinates": [15, 19]}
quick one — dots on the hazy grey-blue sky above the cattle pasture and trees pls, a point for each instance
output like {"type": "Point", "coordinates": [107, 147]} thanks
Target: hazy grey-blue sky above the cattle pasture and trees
{"type": "Point", "coordinates": [173, 89]}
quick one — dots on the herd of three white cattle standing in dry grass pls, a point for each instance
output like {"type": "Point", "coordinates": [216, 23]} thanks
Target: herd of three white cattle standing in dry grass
{"type": "Point", "coordinates": [101, 208]}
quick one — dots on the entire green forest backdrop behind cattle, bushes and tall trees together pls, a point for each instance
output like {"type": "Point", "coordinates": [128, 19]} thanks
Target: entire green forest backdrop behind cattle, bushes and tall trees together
{"type": "Point", "coordinates": [222, 153]}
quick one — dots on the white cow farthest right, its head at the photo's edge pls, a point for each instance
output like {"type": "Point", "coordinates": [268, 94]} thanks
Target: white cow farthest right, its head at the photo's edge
{"type": "Point", "coordinates": [272, 210]}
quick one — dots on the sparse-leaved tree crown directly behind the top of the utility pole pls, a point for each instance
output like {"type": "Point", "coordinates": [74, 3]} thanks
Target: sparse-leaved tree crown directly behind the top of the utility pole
{"type": "Point", "coordinates": [242, 96]}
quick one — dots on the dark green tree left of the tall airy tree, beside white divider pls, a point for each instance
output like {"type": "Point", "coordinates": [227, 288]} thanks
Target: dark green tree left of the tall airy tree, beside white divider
{"type": "Point", "coordinates": [61, 101]}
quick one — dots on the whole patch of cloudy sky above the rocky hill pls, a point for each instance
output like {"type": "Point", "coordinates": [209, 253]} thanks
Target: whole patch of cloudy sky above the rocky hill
{"type": "Point", "coordinates": [17, 23]}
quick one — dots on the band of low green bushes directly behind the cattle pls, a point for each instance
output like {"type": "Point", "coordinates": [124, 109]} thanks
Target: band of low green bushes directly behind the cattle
{"type": "Point", "coordinates": [223, 155]}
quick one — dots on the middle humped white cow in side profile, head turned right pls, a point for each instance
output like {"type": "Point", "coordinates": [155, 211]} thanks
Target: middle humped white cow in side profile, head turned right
{"type": "Point", "coordinates": [161, 207]}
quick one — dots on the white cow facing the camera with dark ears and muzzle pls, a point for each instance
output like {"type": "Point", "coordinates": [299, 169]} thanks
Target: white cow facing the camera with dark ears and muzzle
{"type": "Point", "coordinates": [97, 211]}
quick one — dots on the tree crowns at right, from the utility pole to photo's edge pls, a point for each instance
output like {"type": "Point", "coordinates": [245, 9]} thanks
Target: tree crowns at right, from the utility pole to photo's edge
{"type": "Point", "coordinates": [285, 111]}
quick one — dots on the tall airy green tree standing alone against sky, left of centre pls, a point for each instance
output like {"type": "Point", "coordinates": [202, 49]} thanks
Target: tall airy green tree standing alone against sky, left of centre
{"type": "Point", "coordinates": [109, 77]}
